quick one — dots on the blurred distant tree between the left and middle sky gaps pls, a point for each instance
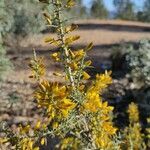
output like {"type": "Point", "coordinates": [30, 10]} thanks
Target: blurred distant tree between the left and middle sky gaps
{"type": "Point", "coordinates": [98, 10]}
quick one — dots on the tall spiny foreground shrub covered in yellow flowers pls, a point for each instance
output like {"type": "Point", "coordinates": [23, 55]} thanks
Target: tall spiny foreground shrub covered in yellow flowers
{"type": "Point", "coordinates": [74, 113]}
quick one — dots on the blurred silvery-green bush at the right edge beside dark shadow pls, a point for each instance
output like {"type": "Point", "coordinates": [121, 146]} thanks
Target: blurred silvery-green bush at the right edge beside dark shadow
{"type": "Point", "coordinates": [138, 58]}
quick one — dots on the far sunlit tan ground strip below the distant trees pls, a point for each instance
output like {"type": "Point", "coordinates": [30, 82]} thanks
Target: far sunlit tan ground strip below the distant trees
{"type": "Point", "coordinates": [101, 32]}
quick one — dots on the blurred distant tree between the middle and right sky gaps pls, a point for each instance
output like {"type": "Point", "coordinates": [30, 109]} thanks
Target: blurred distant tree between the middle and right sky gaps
{"type": "Point", "coordinates": [124, 9]}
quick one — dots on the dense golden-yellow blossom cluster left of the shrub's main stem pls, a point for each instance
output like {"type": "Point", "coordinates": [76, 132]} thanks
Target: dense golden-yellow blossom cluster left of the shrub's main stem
{"type": "Point", "coordinates": [53, 97]}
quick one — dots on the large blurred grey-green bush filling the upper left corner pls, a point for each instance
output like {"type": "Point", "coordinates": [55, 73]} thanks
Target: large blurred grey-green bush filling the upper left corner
{"type": "Point", "coordinates": [20, 18]}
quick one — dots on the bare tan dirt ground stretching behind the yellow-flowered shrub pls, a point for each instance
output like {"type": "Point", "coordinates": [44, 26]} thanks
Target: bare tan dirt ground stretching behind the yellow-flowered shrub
{"type": "Point", "coordinates": [16, 93]}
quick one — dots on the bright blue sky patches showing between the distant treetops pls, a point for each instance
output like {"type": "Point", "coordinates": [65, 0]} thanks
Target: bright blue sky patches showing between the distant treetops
{"type": "Point", "coordinates": [109, 3]}
